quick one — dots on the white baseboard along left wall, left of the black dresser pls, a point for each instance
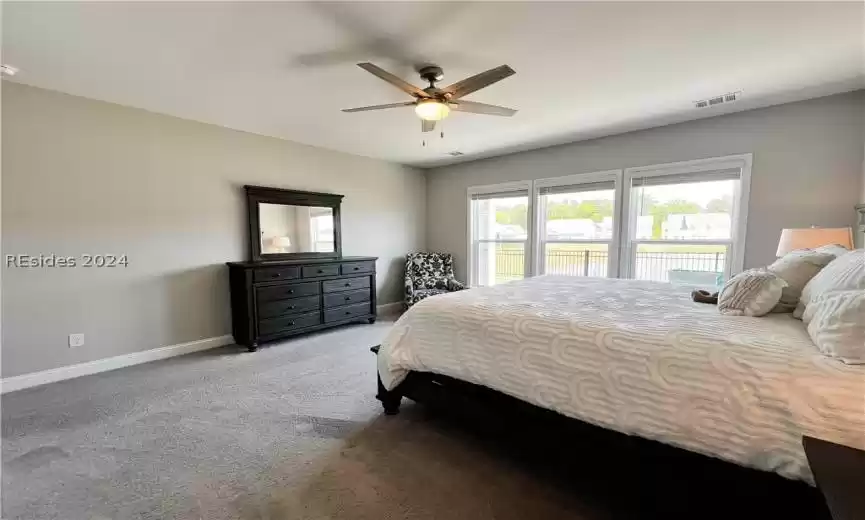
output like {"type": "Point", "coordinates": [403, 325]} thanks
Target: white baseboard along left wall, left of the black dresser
{"type": "Point", "coordinates": [11, 384]}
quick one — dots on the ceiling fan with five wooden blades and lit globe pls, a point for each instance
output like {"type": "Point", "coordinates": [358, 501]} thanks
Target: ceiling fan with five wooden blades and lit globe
{"type": "Point", "coordinates": [434, 104]}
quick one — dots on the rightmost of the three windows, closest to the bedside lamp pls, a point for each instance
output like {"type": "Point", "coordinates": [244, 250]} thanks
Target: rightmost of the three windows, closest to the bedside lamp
{"type": "Point", "coordinates": [684, 222]}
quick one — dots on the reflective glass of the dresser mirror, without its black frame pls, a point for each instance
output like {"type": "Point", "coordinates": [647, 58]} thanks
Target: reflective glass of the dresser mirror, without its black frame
{"type": "Point", "coordinates": [295, 229]}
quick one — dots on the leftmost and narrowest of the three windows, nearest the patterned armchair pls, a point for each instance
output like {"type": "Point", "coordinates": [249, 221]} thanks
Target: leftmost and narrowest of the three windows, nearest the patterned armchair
{"type": "Point", "coordinates": [499, 219]}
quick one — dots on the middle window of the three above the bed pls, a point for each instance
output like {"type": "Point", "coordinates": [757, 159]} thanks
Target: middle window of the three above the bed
{"type": "Point", "coordinates": [577, 225]}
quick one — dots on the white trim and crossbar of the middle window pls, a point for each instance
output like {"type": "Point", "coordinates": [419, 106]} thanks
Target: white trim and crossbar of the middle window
{"type": "Point", "coordinates": [575, 180]}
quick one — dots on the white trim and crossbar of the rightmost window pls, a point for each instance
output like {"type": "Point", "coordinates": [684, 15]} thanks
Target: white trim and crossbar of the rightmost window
{"type": "Point", "coordinates": [741, 199]}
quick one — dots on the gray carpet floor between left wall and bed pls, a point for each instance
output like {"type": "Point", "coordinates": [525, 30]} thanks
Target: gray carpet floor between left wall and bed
{"type": "Point", "coordinates": [290, 432]}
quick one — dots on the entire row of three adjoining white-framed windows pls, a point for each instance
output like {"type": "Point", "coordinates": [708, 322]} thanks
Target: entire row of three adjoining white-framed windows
{"type": "Point", "coordinates": [682, 223]}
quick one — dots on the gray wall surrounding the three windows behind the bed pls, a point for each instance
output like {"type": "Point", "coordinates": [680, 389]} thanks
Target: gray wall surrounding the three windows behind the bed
{"type": "Point", "coordinates": [807, 168]}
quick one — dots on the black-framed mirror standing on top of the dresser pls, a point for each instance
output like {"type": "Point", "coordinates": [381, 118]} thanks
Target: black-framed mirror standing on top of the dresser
{"type": "Point", "coordinates": [286, 224]}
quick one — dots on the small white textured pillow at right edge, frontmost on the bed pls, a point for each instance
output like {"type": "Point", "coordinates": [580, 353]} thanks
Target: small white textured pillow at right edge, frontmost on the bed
{"type": "Point", "coordinates": [836, 324]}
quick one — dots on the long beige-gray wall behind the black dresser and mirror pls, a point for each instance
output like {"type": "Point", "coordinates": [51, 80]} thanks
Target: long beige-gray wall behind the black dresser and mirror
{"type": "Point", "coordinates": [82, 176]}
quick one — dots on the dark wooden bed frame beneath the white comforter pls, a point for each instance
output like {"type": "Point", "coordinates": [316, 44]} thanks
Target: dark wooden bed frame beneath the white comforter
{"type": "Point", "coordinates": [662, 479]}
